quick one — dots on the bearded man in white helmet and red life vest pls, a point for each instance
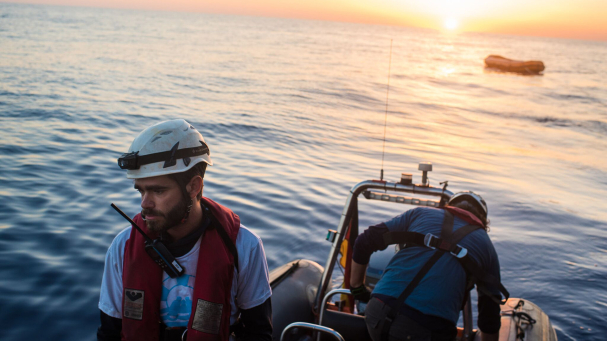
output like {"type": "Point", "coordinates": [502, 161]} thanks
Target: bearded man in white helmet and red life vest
{"type": "Point", "coordinates": [218, 285]}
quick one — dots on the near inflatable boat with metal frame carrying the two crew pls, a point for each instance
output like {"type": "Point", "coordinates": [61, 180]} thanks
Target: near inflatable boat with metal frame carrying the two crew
{"type": "Point", "coordinates": [312, 303]}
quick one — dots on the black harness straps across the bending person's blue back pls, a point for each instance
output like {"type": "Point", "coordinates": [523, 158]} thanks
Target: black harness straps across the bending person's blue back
{"type": "Point", "coordinates": [447, 243]}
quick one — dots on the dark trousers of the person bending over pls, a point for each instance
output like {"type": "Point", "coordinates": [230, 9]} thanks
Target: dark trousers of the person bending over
{"type": "Point", "coordinates": [403, 328]}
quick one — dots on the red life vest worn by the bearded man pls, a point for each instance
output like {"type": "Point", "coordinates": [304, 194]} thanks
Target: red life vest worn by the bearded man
{"type": "Point", "coordinates": [142, 284]}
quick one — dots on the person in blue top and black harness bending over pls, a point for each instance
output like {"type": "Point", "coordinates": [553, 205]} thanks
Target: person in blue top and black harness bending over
{"type": "Point", "coordinates": [446, 251]}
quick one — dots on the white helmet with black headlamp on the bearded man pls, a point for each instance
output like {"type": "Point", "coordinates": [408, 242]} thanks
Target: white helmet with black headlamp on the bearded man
{"type": "Point", "coordinates": [165, 148]}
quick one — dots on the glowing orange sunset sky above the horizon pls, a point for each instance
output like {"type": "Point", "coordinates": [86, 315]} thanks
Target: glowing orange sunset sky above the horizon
{"type": "Point", "coordinates": [578, 19]}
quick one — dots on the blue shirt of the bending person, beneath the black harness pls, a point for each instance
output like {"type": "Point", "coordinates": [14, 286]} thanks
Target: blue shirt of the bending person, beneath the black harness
{"type": "Point", "coordinates": [442, 291]}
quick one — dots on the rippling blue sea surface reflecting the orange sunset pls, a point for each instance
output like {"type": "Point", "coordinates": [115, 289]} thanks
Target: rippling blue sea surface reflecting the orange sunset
{"type": "Point", "coordinates": [293, 112]}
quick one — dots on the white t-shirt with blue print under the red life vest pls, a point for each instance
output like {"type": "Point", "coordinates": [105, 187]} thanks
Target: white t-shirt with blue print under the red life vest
{"type": "Point", "coordinates": [250, 285]}
